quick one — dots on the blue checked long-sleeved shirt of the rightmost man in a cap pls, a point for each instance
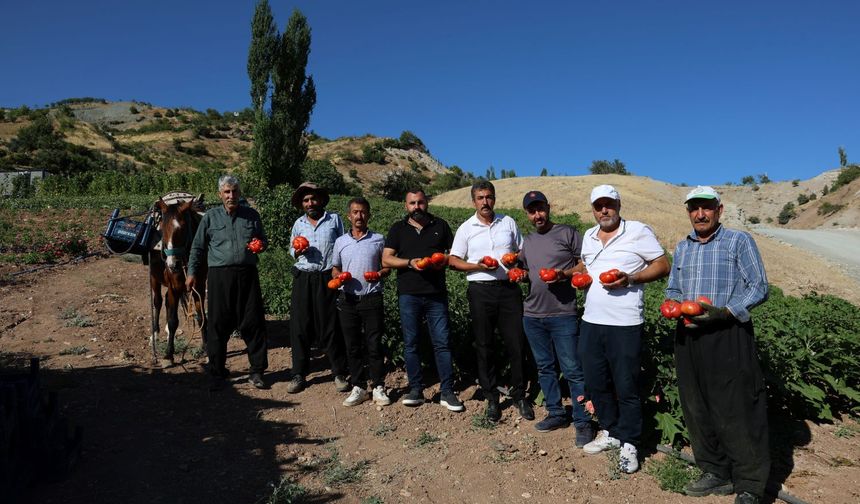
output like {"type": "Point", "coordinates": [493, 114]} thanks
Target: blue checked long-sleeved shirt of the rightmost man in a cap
{"type": "Point", "coordinates": [727, 268]}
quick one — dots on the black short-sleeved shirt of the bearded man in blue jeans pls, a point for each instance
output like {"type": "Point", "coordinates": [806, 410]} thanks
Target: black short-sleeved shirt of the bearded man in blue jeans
{"type": "Point", "coordinates": [408, 243]}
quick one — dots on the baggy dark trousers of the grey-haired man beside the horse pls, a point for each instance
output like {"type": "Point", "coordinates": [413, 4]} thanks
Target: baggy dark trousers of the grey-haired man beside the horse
{"type": "Point", "coordinates": [235, 302]}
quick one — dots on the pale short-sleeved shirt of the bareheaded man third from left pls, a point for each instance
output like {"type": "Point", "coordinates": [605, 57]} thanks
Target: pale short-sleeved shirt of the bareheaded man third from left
{"type": "Point", "coordinates": [359, 256]}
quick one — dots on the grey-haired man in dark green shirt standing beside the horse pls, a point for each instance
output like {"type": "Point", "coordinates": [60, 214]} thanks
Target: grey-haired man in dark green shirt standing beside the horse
{"type": "Point", "coordinates": [235, 300]}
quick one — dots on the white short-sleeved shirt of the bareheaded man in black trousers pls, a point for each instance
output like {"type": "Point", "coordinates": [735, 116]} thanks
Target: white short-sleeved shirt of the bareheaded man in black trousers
{"type": "Point", "coordinates": [474, 240]}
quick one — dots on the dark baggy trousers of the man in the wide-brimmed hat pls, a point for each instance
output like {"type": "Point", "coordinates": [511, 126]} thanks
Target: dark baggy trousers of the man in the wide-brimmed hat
{"type": "Point", "coordinates": [313, 320]}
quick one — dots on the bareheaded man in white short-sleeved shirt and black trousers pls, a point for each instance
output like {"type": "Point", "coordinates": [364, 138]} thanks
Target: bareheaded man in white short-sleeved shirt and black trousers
{"type": "Point", "coordinates": [494, 302]}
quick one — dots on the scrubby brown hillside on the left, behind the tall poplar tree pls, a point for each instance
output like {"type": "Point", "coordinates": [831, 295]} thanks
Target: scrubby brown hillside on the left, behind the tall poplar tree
{"type": "Point", "coordinates": [141, 136]}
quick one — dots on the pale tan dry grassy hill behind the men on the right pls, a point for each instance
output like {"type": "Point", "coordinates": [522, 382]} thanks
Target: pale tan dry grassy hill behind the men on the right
{"type": "Point", "coordinates": [661, 205]}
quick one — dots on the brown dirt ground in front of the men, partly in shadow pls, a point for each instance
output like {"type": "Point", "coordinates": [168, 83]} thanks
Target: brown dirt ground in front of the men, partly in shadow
{"type": "Point", "coordinates": [155, 434]}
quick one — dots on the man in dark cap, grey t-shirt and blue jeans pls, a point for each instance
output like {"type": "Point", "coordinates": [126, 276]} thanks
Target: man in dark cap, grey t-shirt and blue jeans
{"type": "Point", "coordinates": [550, 315]}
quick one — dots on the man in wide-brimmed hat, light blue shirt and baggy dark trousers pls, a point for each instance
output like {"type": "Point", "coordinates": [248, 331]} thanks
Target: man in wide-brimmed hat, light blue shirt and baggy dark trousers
{"type": "Point", "coordinates": [313, 313]}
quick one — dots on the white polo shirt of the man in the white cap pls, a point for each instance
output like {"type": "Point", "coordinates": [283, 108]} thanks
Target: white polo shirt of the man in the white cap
{"type": "Point", "coordinates": [632, 247]}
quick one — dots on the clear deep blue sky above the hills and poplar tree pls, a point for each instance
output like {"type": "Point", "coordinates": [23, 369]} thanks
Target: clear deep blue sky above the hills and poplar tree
{"type": "Point", "coordinates": [679, 90]}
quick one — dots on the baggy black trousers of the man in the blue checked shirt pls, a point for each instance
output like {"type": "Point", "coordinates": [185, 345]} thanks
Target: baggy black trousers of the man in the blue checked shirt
{"type": "Point", "coordinates": [723, 398]}
